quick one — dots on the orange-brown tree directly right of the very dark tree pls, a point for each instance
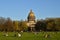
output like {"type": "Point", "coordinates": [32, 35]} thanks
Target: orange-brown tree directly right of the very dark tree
{"type": "Point", "coordinates": [50, 24]}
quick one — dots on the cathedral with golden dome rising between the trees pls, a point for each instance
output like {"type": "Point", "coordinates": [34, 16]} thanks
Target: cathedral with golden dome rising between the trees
{"type": "Point", "coordinates": [31, 20]}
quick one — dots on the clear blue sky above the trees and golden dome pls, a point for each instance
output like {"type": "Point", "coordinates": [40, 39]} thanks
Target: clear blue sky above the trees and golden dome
{"type": "Point", "coordinates": [19, 9]}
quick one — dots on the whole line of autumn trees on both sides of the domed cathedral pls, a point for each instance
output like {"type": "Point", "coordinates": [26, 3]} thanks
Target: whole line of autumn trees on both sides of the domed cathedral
{"type": "Point", "coordinates": [49, 24]}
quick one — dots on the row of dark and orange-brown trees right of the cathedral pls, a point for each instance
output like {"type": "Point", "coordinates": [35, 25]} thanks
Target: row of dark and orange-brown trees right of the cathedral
{"type": "Point", "coordinates": [49, 24]}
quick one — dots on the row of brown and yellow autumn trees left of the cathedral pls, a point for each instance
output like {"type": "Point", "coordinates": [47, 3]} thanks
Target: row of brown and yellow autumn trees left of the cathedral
{"type": "Point", "coordinates": [6, 24]}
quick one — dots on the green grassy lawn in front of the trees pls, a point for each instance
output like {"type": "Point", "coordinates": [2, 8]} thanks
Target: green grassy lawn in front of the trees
{"type": "Point", "coordinates": [31, 36]}
